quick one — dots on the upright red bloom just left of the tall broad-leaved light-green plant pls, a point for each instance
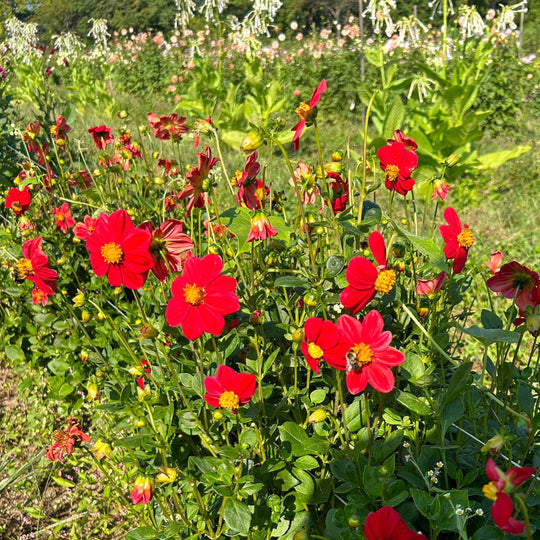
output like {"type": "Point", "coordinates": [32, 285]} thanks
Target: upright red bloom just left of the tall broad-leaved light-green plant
{"type": "Point", "coordinates": [398, 165]}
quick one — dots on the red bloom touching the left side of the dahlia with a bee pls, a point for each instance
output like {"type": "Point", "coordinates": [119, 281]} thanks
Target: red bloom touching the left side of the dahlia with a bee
{"type": "Point", "coordinates": [322, 340]}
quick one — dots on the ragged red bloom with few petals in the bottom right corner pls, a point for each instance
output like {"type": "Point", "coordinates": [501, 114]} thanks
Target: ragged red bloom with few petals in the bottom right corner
{"type": "Point", "coordinates": [500, 490]}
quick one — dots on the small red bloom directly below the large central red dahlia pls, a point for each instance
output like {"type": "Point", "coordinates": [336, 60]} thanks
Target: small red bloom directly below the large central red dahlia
{"type": "Point", "coordinates": [229, 389]}
